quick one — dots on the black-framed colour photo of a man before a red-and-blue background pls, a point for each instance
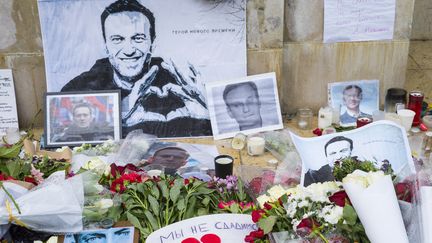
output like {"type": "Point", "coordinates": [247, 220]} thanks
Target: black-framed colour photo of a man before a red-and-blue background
{"type": "Point", "coordinates": [74, 118]}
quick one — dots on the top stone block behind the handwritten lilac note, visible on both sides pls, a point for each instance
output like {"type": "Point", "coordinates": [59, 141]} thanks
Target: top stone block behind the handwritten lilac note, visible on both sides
{"type": "Point", "coordinates": [304, 20]}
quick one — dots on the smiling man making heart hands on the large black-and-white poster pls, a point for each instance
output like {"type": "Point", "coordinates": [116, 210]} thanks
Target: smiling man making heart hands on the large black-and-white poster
{"type": "Point", "coordinates": [156, 96]}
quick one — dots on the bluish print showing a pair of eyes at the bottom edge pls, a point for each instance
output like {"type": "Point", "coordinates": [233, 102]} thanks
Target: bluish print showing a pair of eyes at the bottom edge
{"type": "Point", "coordinates": [112, 235]}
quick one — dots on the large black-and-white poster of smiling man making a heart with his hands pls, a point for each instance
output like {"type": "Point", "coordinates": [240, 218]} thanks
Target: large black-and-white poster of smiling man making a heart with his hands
{"type": "Point", "coordinates": [159, 53]}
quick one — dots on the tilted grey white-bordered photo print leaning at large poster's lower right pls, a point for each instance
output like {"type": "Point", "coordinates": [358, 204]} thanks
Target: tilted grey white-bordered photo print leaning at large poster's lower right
{"type": "Point", "coordinates": [248, 105]}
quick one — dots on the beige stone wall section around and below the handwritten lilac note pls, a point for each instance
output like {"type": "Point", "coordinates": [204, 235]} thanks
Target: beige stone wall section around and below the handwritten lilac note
{"type": "Point", "coordinates": [309, 65]}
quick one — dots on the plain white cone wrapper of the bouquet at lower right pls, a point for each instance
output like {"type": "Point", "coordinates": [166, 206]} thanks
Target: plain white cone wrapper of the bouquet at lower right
{"type": "Point", "coordinates": [374, 199]}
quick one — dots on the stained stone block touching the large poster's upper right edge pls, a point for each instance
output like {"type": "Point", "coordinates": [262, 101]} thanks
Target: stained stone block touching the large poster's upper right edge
{"type": "Point", "coordinates": [265, 24]}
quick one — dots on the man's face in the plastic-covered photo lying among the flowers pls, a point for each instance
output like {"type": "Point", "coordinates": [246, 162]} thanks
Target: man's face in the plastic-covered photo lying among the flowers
{"type": "Point", "coordinates": [170, 158]}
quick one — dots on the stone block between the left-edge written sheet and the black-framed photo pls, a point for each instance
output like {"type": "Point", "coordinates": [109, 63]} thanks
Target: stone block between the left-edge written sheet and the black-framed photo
{"type": "Point", "coordinates": [29, 79]}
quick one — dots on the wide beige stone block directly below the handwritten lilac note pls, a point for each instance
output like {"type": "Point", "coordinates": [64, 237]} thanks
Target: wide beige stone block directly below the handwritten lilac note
{"type": "Point", "coordinates": [309, 67]}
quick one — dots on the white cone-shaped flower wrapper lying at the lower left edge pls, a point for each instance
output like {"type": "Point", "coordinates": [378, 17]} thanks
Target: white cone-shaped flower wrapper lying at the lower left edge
{"type": "Point", "coordinates": [54, 206]}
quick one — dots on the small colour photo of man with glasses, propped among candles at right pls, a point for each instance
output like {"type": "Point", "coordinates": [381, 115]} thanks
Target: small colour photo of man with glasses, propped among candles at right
{"type": "Point", "coordinates": [354, 98]}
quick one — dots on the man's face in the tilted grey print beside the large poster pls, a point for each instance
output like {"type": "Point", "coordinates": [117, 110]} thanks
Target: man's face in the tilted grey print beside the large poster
{"type": "Point", "coordinates": [244, 106]}
